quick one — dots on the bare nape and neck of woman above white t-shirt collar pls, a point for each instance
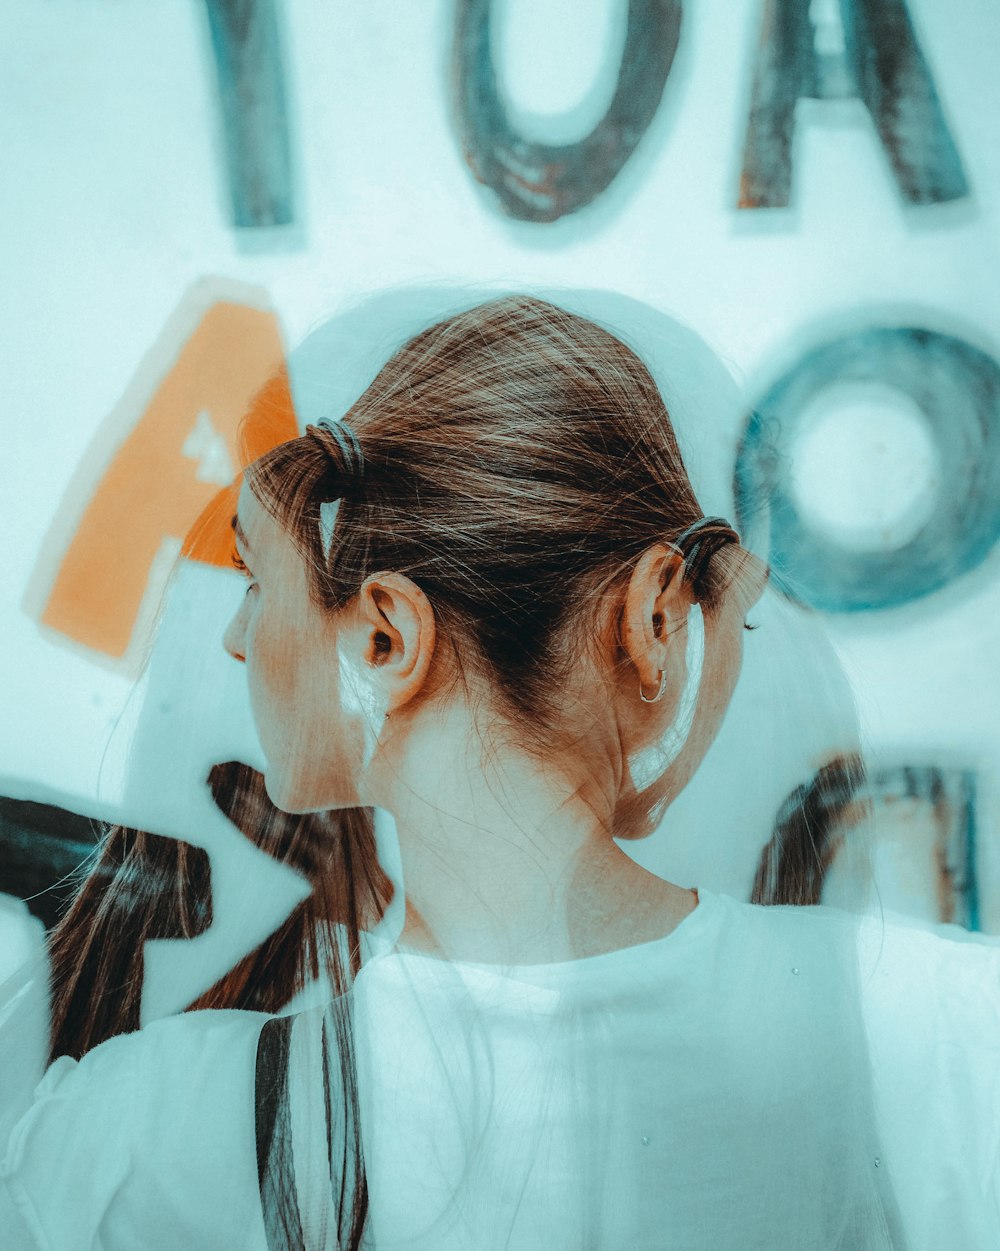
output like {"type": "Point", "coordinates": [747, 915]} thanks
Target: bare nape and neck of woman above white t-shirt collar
{"type": "Point", "coordinates": [508, 863]}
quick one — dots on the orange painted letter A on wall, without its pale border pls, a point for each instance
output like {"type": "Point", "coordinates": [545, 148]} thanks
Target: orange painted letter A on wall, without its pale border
{"type": "Point", "coordinates": [151, 491]}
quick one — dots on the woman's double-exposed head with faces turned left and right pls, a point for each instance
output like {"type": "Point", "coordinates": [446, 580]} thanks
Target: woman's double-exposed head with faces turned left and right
{"type": "Point", "coordinates": [513, 540]}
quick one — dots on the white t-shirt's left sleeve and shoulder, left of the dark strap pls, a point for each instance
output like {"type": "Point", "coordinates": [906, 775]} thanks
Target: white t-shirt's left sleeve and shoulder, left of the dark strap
{"type": "Point", "coordinates": [150, 1142]}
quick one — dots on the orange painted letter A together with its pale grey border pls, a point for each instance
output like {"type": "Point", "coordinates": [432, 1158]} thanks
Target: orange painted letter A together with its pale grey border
{"type": "Point", "coordinates": [173, 453]}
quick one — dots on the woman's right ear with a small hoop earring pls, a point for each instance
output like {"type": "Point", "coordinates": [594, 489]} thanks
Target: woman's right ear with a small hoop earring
{"type": "Point", "coordinates": [656, 605]}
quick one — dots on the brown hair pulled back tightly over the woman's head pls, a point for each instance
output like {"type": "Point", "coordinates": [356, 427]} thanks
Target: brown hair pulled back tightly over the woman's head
{"type": "Point", "coordinates": [518, 461]}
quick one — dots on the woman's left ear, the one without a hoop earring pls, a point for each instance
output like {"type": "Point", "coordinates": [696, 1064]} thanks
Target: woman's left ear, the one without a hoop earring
{"type": "Point", "coordinates": [401, 635]}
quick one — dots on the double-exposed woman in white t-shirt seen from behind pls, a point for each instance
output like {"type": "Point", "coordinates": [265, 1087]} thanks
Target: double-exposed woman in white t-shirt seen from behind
{"type": "Point", "coordinates": [489, 602]}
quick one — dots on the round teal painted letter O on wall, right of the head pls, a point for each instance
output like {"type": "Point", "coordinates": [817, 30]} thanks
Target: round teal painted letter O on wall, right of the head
{"type": "Point", "coordinates": [957, 388]}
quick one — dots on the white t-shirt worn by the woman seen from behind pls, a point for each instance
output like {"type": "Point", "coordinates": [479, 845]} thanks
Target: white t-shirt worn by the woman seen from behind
{"type": "Point", "coordinates": [745, 1083]}
